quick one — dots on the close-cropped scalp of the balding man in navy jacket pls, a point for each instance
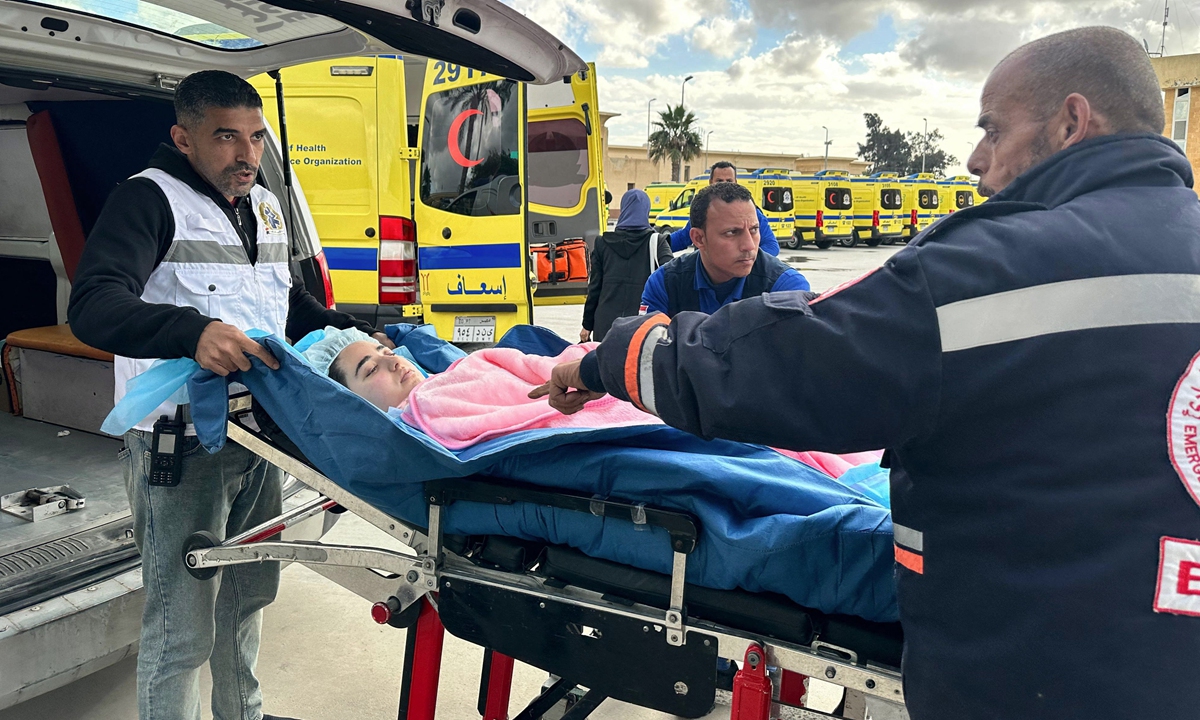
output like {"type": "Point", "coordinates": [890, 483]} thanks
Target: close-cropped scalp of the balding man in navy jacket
{"type": "Point", "coordinates": [1105, 65]}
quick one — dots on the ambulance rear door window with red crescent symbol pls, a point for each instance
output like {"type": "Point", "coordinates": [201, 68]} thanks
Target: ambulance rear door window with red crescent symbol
{"type": "Point", "coordinates": [471, 158]}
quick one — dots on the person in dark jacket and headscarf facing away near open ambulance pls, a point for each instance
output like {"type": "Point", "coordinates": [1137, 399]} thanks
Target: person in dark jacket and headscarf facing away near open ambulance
{"type": "Point", "coordinates": [622, 262]}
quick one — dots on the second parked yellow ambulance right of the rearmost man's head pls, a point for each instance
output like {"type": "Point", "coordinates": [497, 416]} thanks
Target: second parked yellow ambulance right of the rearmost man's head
{"type": "Point", "coordinates": [824, 209]}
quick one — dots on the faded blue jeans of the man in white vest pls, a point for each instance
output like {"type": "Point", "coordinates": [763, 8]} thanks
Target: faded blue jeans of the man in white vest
{"type": "Point", "coordinates": [188, 622]}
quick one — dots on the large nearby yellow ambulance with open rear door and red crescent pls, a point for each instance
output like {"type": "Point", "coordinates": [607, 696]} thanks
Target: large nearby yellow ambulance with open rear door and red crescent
{"type": "Point", "coordinates": [433, 185]}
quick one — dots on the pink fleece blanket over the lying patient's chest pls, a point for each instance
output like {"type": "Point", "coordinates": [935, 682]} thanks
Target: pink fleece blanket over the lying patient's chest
{"type": "Point", "coordinates": [485, 395]}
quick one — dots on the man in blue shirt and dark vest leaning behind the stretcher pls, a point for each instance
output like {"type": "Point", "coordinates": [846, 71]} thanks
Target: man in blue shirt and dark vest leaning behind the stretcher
{"type": "Point", "coordinates": [728, 266]}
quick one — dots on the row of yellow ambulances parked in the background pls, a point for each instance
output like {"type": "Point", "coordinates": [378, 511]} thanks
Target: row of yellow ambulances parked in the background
{"type": "Point", "coordinates": [831, 207]}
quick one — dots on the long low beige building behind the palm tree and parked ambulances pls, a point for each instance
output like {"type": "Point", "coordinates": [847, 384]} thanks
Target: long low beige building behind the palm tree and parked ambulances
{"type": "Point", "coordinates": [629, 166]}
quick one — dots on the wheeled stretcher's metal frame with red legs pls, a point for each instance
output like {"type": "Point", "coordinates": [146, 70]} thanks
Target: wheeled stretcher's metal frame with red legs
{"type": "Point", "coordinates": [617, 632]}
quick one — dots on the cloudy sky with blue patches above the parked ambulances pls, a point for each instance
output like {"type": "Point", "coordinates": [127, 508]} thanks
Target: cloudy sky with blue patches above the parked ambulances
{"type": "Point", "coordinates": [771, 74]}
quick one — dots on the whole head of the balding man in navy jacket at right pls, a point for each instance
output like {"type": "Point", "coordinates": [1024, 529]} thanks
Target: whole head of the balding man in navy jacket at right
{"type": "Point", "coordinates": [1058, 92]}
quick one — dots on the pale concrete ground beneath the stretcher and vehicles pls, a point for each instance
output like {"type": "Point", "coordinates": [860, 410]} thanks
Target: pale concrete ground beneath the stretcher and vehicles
{"type": "Point", "coordinates": [325, 659]}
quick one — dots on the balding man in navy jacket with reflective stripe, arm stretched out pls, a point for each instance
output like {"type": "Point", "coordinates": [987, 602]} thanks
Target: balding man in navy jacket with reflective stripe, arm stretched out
{"type": "Point", "coordinates": [1030, 364]}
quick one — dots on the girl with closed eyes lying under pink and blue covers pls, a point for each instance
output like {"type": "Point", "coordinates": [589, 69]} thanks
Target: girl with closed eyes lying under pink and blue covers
{"type": "Point", "coordinates": [812, 526]}
